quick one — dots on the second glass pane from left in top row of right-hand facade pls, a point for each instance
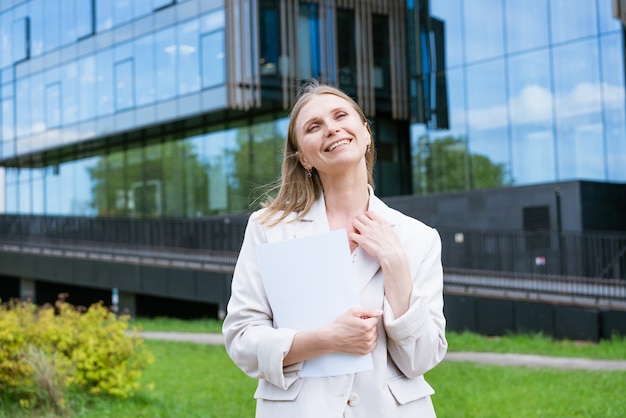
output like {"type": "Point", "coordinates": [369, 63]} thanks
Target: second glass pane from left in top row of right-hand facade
{"type": "Point", "coordinates": [484, 37]}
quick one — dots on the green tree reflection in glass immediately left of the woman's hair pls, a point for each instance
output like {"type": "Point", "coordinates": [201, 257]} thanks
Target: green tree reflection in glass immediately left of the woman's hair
{"type": "Point", "coordinates": [257, 160]}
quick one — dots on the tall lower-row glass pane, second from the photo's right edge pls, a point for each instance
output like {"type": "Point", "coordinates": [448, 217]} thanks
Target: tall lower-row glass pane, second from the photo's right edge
{"type": "Point", "coordinates": [578, 111]}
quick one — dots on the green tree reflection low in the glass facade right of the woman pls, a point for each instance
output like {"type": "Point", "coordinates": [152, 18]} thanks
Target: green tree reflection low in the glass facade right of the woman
{"type": "Point", "coordinates": [444, 165]}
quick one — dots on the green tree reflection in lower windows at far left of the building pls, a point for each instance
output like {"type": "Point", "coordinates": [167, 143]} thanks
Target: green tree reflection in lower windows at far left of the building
{"type": "Point", "coordinates": [159, 180]}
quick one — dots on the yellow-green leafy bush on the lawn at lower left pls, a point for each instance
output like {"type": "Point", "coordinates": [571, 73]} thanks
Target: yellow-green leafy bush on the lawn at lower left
{"type": "Point", "coordinates": [46, 350]}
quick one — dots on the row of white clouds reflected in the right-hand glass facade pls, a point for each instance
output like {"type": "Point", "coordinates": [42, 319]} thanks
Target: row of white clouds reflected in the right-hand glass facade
{"type": "Point", "coordinates": [534, 105]}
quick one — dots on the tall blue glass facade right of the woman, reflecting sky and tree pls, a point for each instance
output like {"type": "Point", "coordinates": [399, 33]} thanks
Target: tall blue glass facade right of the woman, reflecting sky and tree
{"type": "Point", "coordinates": [534, 94]}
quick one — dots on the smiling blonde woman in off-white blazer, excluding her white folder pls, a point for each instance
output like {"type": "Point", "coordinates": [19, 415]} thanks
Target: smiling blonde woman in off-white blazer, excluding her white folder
{"type": "Point", "coordinates": [326, 185]}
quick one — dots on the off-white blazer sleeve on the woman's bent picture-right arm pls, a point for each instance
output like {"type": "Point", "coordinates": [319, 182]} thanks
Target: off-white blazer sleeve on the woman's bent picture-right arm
{"type": "Point", "coordinates": [416, 340]}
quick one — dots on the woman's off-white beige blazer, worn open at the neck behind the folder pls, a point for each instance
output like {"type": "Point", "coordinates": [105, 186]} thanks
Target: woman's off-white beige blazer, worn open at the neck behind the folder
{"type": "Point", "coordinates": [407, 348]}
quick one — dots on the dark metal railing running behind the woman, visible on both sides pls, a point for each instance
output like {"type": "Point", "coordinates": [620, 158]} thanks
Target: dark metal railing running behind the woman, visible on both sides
{"type": "Point", "coordinates": [591, 255]}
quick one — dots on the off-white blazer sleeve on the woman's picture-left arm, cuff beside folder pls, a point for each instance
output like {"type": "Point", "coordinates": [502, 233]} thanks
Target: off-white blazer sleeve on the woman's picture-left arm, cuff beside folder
{"type": "Point", "coordinates": [251, 340]}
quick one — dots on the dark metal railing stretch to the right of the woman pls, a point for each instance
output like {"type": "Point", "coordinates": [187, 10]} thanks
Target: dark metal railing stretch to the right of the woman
{"type": "Point", "coordinates": [592, 255]}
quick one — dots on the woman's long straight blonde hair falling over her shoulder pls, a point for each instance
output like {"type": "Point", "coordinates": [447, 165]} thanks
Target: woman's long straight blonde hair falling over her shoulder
{"type": "Point", "coordinates": [296, 190]}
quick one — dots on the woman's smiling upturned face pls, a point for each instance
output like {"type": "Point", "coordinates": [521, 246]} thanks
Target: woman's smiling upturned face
{"type": "Point", "coordinates": [331, 135]}
